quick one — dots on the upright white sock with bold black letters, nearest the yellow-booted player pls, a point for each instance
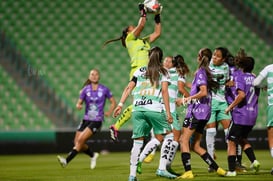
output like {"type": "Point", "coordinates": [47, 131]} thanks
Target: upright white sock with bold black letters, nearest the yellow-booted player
{"type": "Point", "coordinates": [165, 150]}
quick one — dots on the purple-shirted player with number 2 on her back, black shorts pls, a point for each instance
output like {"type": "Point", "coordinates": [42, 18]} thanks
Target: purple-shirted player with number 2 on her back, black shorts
{"type": "Point", "coordinates": [244, 110]}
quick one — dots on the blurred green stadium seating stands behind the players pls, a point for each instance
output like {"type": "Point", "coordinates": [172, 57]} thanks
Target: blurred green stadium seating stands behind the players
{"type": "Point", "coordinates": [48, 47]}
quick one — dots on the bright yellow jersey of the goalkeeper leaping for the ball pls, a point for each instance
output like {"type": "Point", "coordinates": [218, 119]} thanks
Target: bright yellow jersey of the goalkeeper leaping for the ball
{"type": "Point", "coordinates": [138, 50]}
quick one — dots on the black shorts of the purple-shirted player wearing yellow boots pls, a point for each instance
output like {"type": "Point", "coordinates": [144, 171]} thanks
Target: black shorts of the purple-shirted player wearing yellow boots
{"type": "Point", "coordinates": [196, 124]}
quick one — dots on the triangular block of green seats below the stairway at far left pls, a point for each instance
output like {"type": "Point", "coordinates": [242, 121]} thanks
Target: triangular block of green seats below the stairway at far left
{"type": "Point", "coordinates": [16, 107]}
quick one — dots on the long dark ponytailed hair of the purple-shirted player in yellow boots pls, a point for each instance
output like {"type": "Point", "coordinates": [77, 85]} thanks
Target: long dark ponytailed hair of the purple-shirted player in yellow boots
{"type": "Point", "coordinates": [205, 55]}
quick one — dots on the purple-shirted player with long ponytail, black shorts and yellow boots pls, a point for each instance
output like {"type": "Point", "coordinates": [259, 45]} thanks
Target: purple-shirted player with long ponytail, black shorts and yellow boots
{"type": "Point", "coordinates": [198, 114]}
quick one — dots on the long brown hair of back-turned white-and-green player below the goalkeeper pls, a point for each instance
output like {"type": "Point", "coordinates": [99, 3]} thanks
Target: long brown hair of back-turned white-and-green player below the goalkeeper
{"type": "Point", "coordinates": [155, 66]}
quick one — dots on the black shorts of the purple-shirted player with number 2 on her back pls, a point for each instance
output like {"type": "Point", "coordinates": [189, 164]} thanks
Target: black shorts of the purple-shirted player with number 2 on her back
{"type": "Point", "coordinates": [238, 132]}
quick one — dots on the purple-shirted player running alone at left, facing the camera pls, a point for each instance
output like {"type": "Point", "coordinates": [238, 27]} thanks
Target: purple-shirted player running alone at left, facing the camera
{"type": "Point", "coordinates": [94, 96]}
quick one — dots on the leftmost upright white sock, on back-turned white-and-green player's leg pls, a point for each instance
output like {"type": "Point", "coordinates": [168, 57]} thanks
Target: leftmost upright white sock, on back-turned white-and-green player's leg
{"type": "Point", "coordinates": [135, 151]}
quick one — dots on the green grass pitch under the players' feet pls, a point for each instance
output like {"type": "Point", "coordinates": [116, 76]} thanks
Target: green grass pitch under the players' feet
{"type": "Point", "coordinates": [115, 166]}
